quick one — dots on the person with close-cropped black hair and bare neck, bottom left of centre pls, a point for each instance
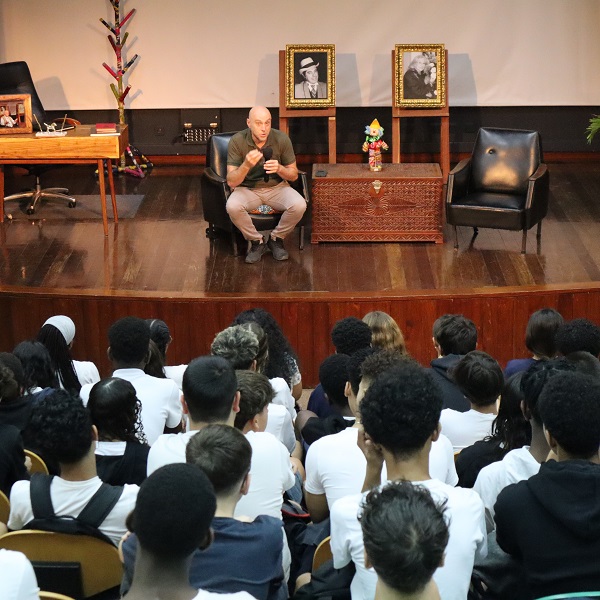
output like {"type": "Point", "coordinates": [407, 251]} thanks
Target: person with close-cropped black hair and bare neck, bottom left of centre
{"type": "Point", "coordinates": [171, 528]}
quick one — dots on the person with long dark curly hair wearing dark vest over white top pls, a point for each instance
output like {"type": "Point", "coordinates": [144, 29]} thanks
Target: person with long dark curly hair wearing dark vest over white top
{"type": "Point", "coordinates": [122, 450]}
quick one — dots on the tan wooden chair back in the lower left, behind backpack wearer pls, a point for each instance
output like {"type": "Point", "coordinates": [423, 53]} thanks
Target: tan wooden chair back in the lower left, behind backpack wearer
{"type": "Point", "coordinates": [55, 555]}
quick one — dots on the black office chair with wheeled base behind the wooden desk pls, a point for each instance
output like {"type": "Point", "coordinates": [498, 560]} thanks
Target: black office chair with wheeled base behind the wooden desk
{"type": "Point", "coordinates": [15, 78]}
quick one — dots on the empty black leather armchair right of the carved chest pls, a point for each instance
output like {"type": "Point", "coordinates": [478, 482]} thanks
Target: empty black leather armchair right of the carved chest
{"type": "Point", "coordinates": [504, 185]}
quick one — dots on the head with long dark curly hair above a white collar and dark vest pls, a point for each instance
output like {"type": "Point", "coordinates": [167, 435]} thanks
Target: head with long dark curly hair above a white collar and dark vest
{"type": "Point", "coordinates": [116, 411]}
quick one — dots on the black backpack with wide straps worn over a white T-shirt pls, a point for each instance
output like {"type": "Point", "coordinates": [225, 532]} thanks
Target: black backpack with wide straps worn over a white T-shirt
{"type": "Point", "coordinates": [86, 523]}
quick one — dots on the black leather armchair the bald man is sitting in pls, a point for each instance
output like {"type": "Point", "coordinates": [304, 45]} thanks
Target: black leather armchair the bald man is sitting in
{"type": "Point", "coordinates": [215, 192]}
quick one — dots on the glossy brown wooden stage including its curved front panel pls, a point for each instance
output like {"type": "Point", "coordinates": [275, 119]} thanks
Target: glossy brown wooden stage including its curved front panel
{"type": "Point", "coordinates": [160, 261]}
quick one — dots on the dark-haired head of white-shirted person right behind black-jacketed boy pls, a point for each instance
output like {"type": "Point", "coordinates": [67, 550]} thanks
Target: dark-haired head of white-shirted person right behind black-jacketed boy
{"type": "Point", "coordinates": [479, 378]}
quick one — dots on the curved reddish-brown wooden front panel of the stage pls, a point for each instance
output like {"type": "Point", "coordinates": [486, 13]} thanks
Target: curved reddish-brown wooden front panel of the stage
{"type": "Point", "coordinates": [501, 318]}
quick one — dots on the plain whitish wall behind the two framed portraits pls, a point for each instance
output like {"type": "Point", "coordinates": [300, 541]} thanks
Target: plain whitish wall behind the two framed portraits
{"type": "Point", "coordinates": [196, 53]}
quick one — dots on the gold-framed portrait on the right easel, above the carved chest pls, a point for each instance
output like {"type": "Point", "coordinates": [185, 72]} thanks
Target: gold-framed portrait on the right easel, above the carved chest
{"type": "Point", "coordinates": [420, 76]}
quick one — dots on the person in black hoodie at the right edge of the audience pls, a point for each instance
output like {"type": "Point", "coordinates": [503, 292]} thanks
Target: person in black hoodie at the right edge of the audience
{"type": "Point", "coordinates": [548, 523]}
